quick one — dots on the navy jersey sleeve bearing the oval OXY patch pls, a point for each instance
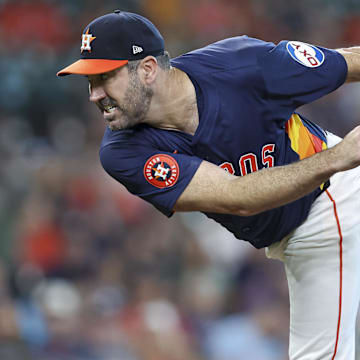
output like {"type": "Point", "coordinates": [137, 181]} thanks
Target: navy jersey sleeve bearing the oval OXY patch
{"type": "Point", "coordinates": [297, 73]}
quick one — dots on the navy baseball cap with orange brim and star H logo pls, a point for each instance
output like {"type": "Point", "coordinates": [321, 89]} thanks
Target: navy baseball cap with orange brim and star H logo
{"type": "Point", "coordinates": [112, 40]}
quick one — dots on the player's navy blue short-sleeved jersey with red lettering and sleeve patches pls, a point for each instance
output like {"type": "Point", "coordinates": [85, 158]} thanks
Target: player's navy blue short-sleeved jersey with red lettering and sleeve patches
{"type": "Point", "coordinates": [247, 93]}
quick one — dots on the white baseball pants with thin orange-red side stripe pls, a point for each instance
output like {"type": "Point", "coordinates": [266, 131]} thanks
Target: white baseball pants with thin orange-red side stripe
{"type": "Point", "coordinates": [322, 264]}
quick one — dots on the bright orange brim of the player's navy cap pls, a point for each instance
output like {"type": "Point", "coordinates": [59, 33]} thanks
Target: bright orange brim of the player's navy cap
{"type": "Point", "coordinates": [91, 67]}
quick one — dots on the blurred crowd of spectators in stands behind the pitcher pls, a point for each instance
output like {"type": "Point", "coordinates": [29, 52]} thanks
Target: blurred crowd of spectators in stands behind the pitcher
{"type": "Point", "coordinates": [89, 272]}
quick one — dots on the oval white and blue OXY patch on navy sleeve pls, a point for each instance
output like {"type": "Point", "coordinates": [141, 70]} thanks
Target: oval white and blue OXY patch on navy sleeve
{"type": "Point", "coordinates": [305, 54]}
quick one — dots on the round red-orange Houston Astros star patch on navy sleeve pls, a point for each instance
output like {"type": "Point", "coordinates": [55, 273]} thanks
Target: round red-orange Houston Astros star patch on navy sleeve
{"type": "Point", "coordinates": [161, 170]}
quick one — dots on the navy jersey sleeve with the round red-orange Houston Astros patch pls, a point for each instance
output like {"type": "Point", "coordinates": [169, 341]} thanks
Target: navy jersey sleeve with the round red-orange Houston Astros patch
{"type": "Point", "coordinates": [156, 176]}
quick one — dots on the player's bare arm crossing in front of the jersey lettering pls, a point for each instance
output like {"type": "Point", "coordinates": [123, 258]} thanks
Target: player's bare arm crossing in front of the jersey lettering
{"type": "Point", "coordinates": [214, 190]}
